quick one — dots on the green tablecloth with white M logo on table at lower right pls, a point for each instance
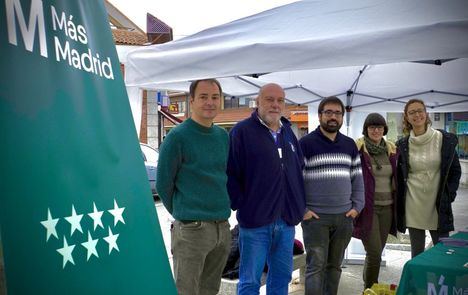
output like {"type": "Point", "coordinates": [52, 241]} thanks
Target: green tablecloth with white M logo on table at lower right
{"type": "Point", "coordinates": [435, 272]}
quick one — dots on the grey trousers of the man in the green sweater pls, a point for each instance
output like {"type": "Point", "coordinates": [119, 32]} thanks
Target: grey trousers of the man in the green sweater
{"type": "Point", "coordinates": [200, 251]}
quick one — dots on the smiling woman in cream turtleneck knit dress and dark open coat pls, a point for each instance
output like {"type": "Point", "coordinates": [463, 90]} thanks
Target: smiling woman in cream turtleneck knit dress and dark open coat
{"type": "Point", "coordinates": [428, 177]}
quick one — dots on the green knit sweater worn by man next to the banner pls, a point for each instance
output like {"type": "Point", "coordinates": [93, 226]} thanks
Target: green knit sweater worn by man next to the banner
{"type": "Point", "coordinates": [191, 176]}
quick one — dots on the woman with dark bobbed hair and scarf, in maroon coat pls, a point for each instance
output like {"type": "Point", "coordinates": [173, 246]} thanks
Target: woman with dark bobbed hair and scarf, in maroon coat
{"type": "Point", "coordinates": [377, 219]}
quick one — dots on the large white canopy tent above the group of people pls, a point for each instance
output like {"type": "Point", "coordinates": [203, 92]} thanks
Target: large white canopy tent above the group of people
{"type": "Point", "coordinates": [318, 48]}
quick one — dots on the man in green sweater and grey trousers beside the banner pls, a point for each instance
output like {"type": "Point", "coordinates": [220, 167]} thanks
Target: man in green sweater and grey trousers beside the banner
{"type": "Point", "coordinates": [191, 182]}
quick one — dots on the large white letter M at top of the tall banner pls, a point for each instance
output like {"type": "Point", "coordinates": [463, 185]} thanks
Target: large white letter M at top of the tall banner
{"type": "Point", "coordinates": [14, 13]}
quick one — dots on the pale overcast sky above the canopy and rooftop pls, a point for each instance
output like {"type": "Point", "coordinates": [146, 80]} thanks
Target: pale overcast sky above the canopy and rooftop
{"type": "Point", "coordinates": [187, 17]}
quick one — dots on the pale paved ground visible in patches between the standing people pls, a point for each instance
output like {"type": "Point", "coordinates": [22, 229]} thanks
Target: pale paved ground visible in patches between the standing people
{"type": "Point", "coordinates": [351, 278]}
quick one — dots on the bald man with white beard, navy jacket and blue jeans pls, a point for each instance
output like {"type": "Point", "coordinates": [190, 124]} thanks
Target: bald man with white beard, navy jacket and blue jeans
{"type": "Point", "coordinates": [266, 188]}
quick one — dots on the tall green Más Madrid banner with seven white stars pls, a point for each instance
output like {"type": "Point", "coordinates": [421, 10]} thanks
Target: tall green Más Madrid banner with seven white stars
{"type": "Point", "coordinates": [76, 212]}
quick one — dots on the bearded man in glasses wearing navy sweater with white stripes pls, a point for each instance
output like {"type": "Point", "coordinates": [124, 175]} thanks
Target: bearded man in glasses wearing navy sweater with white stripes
{"type": "Point", "coordinates": [334, 197]}
